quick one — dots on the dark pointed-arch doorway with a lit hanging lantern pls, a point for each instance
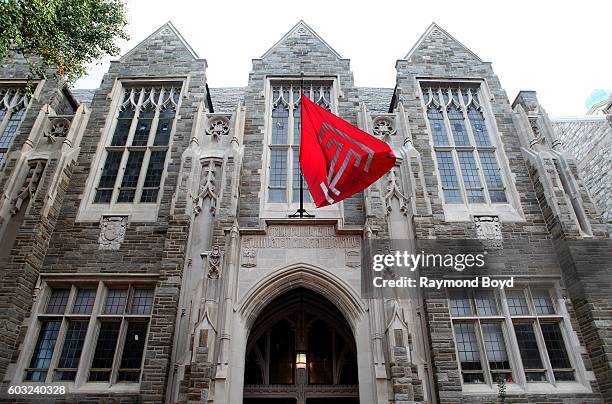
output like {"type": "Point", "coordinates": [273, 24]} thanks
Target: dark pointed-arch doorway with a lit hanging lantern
{"type": "Point", "coordinates": [301, 350]}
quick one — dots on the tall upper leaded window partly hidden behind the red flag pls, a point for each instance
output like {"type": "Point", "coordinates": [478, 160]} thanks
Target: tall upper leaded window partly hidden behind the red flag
{"type": "Point", "coordinates": [285, 135]}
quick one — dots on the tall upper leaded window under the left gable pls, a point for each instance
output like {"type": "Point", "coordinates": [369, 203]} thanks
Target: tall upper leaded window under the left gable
{"type": "Point", "coordinates": [136, 152]}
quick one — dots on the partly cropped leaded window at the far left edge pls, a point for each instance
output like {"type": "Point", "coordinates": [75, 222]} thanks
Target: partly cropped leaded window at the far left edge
{"type": "Point", "coordinates": [13, 105]}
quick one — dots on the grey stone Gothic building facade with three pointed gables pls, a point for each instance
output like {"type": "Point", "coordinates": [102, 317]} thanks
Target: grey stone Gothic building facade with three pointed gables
{"type": "Point", "coordinates": [149, 252]}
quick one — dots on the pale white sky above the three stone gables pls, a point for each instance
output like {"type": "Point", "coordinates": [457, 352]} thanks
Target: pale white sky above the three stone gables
{"type": "Point", "coordinates": [560, 49]}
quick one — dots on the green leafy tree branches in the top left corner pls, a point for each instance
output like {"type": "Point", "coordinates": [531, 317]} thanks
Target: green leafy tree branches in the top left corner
{"type": "Point", "coordinates": [61, 37]}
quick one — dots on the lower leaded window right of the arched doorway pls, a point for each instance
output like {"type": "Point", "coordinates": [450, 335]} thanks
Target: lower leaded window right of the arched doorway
{"type": "Point", "coordinates": [485, 327]}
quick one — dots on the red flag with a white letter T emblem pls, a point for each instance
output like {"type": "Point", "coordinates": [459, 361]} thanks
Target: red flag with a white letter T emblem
{"type": "Point", "coordinates": [337, 158]}
